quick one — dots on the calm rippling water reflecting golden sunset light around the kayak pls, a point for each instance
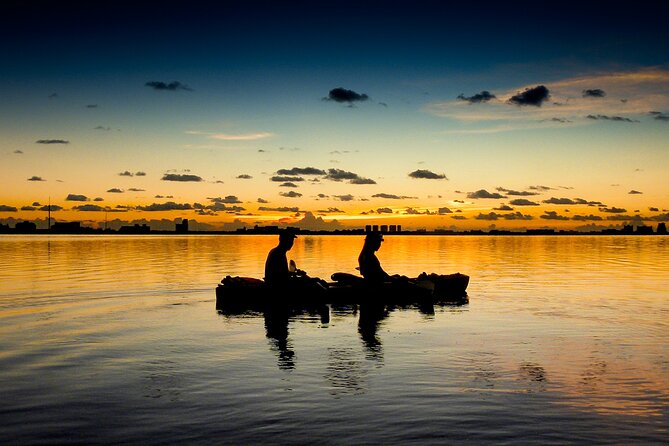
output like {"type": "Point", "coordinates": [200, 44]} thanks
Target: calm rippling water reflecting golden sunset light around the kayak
{"type": "Point", "coordinates": [116, 340]}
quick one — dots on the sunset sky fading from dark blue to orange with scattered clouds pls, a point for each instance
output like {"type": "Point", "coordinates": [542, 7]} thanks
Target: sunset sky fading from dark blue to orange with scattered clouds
{"type": "Point", "coordinates": [333, 115]}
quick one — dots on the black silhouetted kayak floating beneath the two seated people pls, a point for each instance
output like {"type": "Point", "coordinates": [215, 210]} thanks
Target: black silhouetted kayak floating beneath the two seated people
{"type": "Point", "coordinates": [246, 292]}
